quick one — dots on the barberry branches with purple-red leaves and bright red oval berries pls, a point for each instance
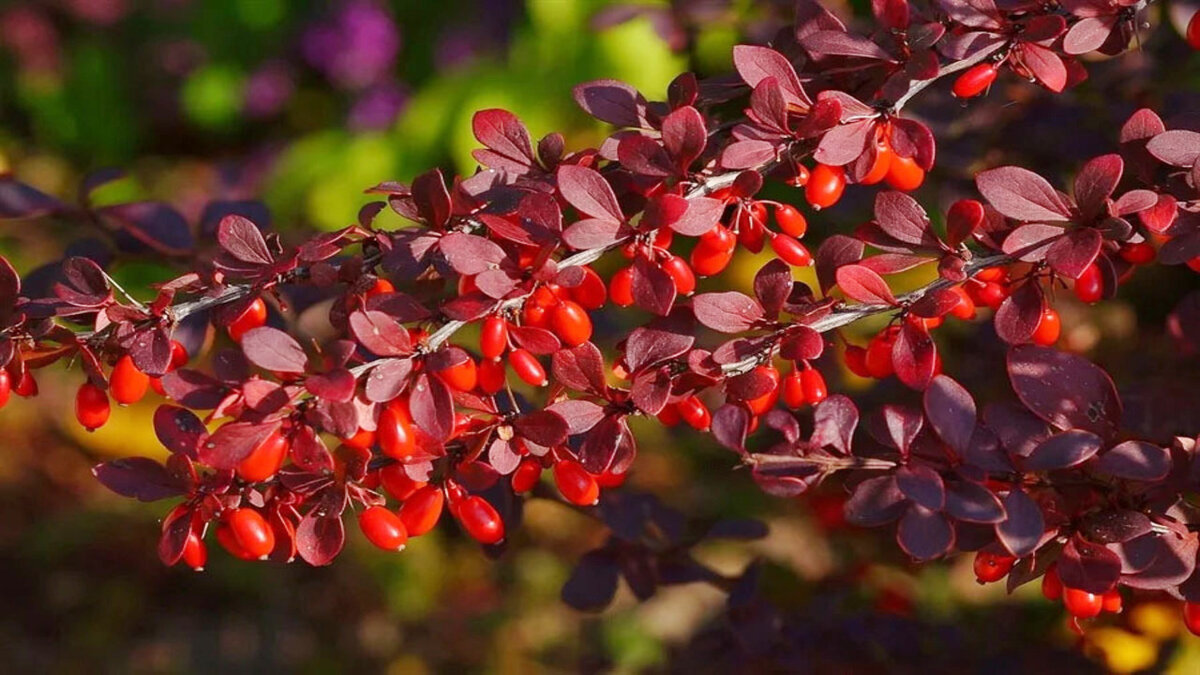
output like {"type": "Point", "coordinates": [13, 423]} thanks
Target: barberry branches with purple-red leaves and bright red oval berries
{"type": "Point", "coordinates": [398, 417]}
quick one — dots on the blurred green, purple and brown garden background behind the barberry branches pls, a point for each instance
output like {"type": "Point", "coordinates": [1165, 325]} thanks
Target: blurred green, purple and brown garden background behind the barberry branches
{"type": "Point", "coordinates": [304, 105]}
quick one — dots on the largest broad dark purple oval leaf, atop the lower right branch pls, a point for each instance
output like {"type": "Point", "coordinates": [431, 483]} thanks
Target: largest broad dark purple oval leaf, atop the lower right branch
{"type": "Point", "coordinates": [1065, 390]}
